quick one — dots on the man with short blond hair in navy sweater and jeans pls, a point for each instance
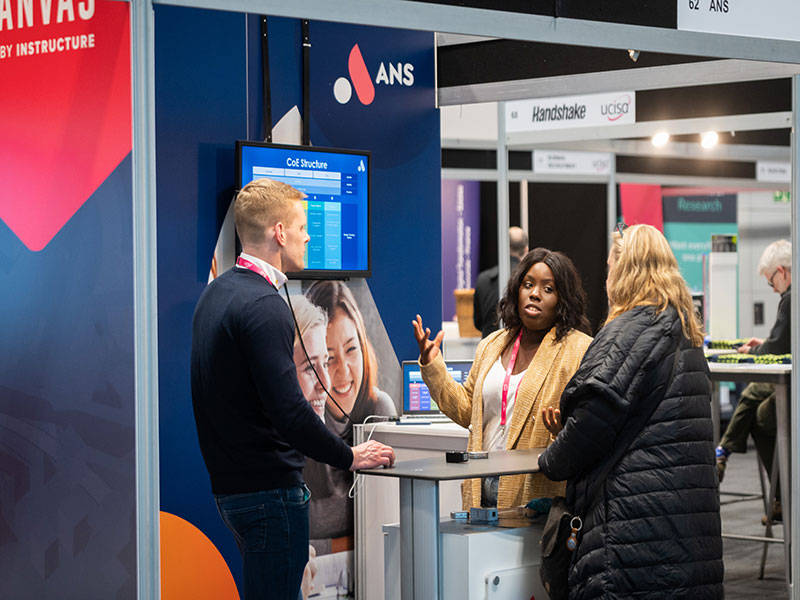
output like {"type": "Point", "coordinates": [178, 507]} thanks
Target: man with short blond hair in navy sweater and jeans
{"type": "Point", "coordinates": [254, 425]}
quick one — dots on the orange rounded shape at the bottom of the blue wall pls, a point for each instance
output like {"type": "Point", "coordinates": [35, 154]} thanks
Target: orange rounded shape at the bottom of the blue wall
{"type": "Point", "coordinates": [191, 566]}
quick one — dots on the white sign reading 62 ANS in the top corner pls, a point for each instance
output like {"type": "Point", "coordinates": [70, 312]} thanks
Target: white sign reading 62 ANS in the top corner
{"type": "Point", "coordinates": [772, 20]}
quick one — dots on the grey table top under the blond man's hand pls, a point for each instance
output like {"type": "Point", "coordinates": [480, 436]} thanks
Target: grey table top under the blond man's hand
{"type": "Point", "coordinates": [437, 469]}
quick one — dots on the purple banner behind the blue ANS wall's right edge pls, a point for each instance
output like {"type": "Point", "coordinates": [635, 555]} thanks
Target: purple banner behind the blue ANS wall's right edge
{"type": "Point", "coordinates": [460, 240]}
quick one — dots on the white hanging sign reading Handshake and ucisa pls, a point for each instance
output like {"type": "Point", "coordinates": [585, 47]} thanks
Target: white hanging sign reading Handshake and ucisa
{"type": "Point", "coordinates": [571, 111]}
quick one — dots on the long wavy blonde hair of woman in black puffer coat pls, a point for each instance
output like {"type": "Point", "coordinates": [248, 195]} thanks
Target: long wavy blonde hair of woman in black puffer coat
{"type": "Point", "coordinates": [645, 273]}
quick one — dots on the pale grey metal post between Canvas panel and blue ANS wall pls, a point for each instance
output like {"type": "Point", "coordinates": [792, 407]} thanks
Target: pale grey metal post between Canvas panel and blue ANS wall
{"type": "Point", "coordinates": [145, 301]}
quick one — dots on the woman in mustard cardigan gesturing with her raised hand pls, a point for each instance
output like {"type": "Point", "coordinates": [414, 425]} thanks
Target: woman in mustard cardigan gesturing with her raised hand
{"type": "Point", "coordinates": [517, 372]}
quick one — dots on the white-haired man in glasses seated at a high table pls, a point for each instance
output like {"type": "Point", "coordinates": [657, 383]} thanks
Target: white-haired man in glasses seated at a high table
{"type": "Point", "coordinates": [755, 412]}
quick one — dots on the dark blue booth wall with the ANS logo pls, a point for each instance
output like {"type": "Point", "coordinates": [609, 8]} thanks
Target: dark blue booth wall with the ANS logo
{"type": "Point", "coordinates": [209, 94]}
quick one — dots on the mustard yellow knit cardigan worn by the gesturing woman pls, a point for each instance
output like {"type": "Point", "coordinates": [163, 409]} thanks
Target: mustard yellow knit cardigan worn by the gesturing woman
{"type": "Point", "coordinates": [541, 386]}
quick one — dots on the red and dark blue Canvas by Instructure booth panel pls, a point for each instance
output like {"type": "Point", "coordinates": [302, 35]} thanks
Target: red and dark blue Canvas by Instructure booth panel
{"type": "Point", "coordinates": [67, 394]}
